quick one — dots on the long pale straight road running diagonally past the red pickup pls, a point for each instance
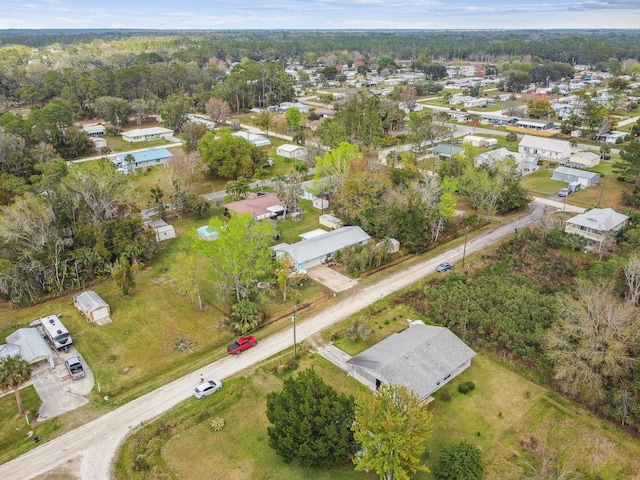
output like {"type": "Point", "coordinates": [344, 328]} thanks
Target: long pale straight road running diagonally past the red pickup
{"type": "Point", "coordinates": [92, 447]}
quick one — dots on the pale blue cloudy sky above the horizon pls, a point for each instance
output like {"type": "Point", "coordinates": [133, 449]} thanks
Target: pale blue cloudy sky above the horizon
{"type": "Point", "coordinates": [320, 14]}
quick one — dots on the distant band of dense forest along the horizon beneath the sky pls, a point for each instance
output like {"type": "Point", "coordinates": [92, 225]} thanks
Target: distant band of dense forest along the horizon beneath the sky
{"type": "Point", "coordinates": [570, 46]}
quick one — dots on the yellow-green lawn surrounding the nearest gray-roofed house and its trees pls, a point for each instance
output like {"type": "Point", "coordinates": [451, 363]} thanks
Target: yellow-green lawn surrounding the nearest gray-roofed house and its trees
{"type": "Point", "coordinates": [501, 414]}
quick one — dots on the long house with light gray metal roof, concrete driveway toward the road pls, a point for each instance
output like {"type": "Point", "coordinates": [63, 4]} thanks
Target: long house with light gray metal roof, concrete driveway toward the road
{"type": "Point", "coordinates": [316, 250]}
